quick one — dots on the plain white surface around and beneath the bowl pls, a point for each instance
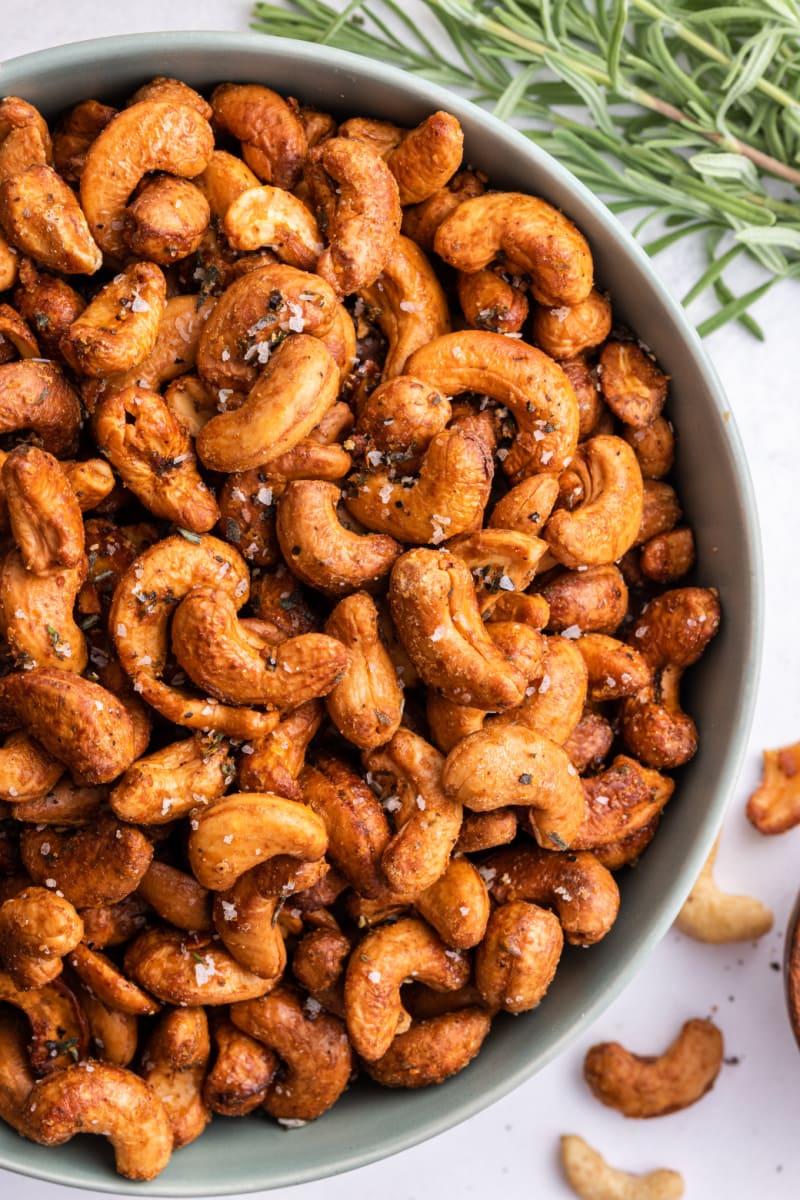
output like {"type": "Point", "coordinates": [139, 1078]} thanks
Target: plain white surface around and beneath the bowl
{"type": "Point", "coordinates": [742, 1141]}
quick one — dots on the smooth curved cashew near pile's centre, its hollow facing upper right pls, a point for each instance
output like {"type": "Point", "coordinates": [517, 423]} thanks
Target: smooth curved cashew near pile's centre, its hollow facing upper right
{"type": "Point", "coordinates": [321, 549]}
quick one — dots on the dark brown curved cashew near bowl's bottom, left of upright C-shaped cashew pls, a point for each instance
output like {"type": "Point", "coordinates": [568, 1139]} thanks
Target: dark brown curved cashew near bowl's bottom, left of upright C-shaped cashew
{"type": "Point", "coordinates": [316, 1054]}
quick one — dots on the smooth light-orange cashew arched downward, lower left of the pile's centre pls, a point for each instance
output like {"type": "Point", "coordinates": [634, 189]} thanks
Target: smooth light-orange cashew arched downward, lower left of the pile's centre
{"type": "Point", "coordinates": [245, 830]}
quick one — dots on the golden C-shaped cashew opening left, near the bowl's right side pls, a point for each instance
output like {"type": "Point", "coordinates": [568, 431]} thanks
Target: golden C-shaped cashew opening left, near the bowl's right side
{"type": "Point", "coordinates": [607, 521]}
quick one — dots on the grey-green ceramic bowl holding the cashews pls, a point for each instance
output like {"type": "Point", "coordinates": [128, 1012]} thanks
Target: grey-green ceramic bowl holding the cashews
{"type": "Point", "coordinates": [370, 1124]}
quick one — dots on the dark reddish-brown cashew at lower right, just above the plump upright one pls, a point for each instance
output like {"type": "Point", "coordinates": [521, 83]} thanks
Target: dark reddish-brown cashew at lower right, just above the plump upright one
{"type": "Point", "coordinates": [582, 892]}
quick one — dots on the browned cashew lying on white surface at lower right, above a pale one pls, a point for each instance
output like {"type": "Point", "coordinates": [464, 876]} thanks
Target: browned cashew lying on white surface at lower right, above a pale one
{"type": "Point", "coordinates": [647, 1087]}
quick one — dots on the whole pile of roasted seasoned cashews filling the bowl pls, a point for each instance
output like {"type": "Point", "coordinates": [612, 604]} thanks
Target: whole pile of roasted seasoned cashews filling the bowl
{"type": "Point", "coordinates": [342, 602]}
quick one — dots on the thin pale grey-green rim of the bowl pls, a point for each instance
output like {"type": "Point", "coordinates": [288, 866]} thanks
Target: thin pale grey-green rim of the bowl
{"type": "Point", "coordinates": [56, 59]}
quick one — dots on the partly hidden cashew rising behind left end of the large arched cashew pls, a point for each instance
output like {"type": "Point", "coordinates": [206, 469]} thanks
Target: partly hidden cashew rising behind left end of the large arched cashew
{"type": "Point", "coordinates": [410, 305]}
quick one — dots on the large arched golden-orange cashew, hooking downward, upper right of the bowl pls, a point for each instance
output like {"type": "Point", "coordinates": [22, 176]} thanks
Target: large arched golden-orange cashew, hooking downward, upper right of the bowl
{"type": "Point", "coordinates": [533, 387]}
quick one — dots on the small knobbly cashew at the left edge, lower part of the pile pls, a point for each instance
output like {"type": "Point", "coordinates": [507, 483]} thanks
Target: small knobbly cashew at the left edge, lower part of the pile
{"type": "Point", "coordinates": [38, 928]}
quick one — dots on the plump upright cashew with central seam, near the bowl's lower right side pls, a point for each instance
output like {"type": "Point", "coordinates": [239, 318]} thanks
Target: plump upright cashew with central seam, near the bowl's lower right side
{"type": "Point", "coordinates": [516, 962]}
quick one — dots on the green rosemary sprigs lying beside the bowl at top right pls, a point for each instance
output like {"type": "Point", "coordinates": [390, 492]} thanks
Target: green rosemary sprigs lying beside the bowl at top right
{"type": "Point", "coordinates": [687, 112]}
